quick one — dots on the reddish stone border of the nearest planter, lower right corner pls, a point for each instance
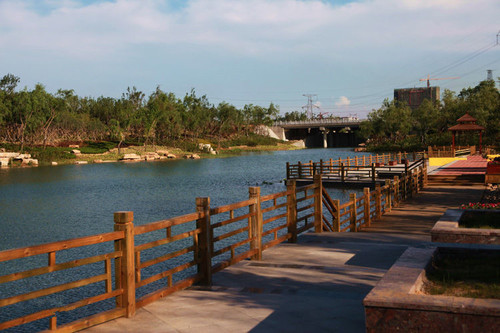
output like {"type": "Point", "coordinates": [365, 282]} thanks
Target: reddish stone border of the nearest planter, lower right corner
{"type": "Point", "coordinates": [397, 303]}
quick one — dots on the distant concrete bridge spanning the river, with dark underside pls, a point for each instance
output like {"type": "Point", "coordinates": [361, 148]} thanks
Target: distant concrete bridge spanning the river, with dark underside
{"type": "Point", "coordinates": [321, 132]}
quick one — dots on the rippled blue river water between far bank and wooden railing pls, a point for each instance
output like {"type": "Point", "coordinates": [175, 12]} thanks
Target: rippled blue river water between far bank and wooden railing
{"type": "Point", "coordinates": [47, 204]}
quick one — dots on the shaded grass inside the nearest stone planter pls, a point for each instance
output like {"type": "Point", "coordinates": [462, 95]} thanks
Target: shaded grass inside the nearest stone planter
{"type": "Point", "coordinates": [469, 273]}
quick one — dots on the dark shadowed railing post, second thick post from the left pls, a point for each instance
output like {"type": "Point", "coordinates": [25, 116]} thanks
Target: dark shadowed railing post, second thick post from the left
{"type": "Point", "coordinates": [205, 241]}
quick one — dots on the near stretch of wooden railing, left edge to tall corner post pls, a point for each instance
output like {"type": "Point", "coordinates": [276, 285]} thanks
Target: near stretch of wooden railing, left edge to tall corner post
{"type": "Point", "coordinates": [153, 260]}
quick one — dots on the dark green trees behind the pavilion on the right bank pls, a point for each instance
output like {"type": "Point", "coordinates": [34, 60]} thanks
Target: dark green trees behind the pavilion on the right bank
{"type": "Point", "coordinates": [395, 126]}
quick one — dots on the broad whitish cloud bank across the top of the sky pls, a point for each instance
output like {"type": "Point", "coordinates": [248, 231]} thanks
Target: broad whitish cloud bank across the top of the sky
{"type": "Point", "coordinates": [253, 27]}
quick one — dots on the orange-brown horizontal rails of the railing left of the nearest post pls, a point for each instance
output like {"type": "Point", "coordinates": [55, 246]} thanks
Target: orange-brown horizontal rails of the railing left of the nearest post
{"type": "Point", "coordinates": [51, 250]}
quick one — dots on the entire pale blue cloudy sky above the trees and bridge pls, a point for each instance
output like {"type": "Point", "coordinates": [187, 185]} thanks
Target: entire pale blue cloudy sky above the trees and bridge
{"type": "Point", "coordinates": [349, 55]}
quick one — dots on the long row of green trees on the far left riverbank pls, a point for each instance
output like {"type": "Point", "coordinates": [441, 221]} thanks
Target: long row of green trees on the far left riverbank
{"type": "Point", "coordinates": [37, 117]}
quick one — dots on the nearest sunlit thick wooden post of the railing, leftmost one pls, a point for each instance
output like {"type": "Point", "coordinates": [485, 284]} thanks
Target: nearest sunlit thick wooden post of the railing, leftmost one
{"type": "Point", "coordinates": [125, 266]}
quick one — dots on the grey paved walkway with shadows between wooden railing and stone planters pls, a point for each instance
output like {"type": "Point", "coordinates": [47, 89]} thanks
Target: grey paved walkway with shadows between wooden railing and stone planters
{"type": "Point", "coordinates": [316, 285]}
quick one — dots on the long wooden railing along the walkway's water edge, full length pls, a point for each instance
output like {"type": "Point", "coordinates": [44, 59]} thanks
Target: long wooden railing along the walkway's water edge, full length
{"type": "Point", "coordinates": [136, 265]}
